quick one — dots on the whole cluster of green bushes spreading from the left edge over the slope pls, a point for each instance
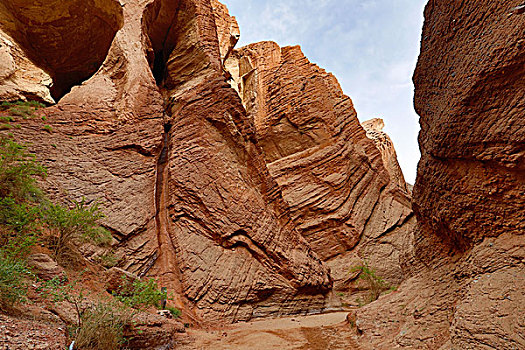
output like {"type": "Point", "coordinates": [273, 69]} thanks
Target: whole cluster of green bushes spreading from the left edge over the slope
{"type": "Point", "coordinates": [25, 214]}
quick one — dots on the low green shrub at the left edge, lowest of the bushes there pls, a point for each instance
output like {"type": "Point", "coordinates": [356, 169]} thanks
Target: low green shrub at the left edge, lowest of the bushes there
{"type": "Point", "coordinates": [13, 276]}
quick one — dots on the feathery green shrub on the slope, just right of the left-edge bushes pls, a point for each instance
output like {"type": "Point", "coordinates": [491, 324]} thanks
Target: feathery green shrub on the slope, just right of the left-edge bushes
{"type": "Point", "coordinates": [67, 225]}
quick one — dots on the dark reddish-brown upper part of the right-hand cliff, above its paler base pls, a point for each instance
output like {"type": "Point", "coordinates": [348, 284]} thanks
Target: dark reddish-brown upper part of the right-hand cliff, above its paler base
{"type": "Point", "coordinates": [471, 179]}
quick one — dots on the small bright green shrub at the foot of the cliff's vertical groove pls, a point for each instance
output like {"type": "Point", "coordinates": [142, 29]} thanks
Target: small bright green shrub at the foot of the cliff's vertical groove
{"type": "Point", "coordinates": [141, 294]}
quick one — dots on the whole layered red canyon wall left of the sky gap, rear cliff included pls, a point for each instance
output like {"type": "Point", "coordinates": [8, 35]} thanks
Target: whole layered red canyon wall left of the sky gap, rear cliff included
{"type": "Point", "coordinates": [241, 180]}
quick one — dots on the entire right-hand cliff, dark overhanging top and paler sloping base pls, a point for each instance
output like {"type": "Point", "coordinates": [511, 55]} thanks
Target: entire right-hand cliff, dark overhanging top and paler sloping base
{"type": "Point", "coordinates": [469, 196]}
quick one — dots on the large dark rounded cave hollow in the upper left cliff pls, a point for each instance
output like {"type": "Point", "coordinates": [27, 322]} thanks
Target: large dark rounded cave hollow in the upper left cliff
{"type": "Point", "coordinates": [80, 41]}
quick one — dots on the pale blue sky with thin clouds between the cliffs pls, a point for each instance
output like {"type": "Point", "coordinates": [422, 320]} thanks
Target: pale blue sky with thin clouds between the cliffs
{"type": "Point", "coordinates": [370, 45]}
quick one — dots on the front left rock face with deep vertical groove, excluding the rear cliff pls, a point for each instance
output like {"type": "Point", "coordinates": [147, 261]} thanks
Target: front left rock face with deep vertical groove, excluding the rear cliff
{"type": "Point", "coordinates": [160, 138]}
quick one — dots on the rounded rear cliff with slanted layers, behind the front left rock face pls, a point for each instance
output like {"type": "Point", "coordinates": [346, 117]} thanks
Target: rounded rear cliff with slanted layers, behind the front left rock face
{"type": "Point", "coordinates": [333, 177]}
